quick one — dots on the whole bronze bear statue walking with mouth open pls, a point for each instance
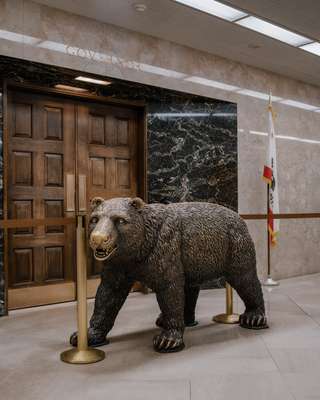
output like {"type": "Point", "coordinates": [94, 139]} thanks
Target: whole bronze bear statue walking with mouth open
{"type": "Point", "coordinates": [172, 249]}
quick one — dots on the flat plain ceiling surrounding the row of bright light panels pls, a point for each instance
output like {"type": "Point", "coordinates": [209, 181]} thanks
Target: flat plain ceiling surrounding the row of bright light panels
{"type": "Point", "coordinates": [172, 21]}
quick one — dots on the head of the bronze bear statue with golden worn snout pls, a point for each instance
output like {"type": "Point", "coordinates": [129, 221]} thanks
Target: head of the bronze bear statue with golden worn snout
{"type": "Point", "coordinates": [116, 227]}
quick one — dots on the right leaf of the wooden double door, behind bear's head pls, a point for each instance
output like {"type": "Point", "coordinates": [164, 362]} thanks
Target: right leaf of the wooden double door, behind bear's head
{"type": "Point", "coordinates": [107, 155]}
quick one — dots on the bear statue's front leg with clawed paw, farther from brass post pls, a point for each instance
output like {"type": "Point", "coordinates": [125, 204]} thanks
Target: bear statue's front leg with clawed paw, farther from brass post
{"type": "Point", "coordinates": [171, 303]}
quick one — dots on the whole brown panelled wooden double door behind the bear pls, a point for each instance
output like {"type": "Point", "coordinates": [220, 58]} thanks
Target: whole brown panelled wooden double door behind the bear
{"type": "Point", "coordinates": [60, 154]}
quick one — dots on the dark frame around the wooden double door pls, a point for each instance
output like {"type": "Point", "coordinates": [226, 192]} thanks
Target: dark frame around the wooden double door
{"type": "Point", "coordinates": [140, 106]}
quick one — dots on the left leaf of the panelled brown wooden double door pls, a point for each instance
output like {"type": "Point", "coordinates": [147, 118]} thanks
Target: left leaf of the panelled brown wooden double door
{"type": "Point", "coordinates": [41, 152]}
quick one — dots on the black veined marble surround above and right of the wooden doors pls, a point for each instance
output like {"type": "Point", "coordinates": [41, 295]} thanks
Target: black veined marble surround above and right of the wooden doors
{"type": "Point", "coordinates": [192, 140]}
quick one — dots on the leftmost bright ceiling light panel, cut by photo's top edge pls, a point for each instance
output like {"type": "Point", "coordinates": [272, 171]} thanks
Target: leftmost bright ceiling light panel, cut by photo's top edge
{"type": "Point", "coordinates": [214, 8]}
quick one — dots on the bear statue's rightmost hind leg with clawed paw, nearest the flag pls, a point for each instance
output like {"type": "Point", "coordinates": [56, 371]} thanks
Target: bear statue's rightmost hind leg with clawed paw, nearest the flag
{"type": "Point", "coordinates": [249, 289]}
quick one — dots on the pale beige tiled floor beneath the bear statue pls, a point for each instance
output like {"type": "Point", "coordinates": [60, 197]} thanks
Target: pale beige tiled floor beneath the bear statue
{"type": "Point", "coordinates": [219, 362]}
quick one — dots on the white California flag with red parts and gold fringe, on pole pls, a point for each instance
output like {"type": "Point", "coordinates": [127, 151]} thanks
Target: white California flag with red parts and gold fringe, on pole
{"type": "Point", "coordinates": [270, 175]}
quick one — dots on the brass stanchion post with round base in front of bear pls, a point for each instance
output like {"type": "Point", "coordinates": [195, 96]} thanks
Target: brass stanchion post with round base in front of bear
{"type": "Point", "coordinates": [82, 354]}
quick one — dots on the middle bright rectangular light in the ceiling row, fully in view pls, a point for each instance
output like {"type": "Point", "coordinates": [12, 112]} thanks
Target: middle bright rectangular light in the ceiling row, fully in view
{"type": "Point", "coordinates": [274, 31]}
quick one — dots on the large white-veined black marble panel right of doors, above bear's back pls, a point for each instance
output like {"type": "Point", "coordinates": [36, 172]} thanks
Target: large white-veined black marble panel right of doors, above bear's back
{"type": "Point", "coordinates": [192, 152]}
